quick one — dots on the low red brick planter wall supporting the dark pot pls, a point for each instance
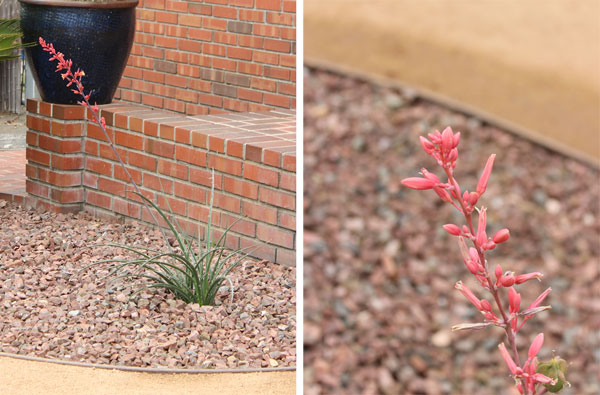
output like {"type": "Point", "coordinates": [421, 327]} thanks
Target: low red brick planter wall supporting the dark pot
{"type": "Point", "coordinates": [171, 157]}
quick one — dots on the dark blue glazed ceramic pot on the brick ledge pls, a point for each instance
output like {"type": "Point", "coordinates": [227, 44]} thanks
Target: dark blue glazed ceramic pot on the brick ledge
{"type": "Point", "coordinates": [97, 36]}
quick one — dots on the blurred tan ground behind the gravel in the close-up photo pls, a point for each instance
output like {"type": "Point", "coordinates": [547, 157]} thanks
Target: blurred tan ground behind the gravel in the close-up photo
{"type": "Point", "coordinates": [534, 64]}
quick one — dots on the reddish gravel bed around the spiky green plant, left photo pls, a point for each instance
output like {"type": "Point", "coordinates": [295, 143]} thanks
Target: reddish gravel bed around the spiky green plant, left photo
{"type": "Point", "coordinates": [51, 308]}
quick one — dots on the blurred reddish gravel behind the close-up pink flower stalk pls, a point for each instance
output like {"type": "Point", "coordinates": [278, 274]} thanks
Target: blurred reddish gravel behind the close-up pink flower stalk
{"type": "Point", "coordinates": [380, 270]}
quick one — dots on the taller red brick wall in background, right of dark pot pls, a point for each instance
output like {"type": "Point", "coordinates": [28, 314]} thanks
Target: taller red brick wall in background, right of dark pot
{"type": "Point", "coordinates": [213, 56]}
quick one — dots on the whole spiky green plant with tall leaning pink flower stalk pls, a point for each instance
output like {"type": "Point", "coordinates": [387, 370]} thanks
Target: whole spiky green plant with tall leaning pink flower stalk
{"type": "Point", "coordinates": [194, 276]}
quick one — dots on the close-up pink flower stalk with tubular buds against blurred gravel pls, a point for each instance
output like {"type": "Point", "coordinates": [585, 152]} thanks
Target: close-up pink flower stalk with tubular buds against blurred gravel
{"type": "Point", "coordinates": [443, 147]}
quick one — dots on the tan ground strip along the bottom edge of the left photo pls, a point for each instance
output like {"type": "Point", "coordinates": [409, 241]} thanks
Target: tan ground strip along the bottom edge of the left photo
{"type": "Point", "coordinates": [28, 377]}
